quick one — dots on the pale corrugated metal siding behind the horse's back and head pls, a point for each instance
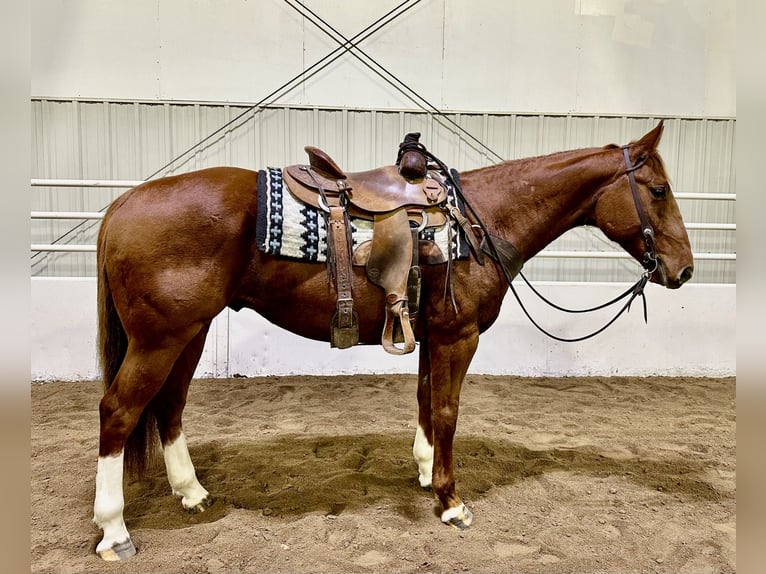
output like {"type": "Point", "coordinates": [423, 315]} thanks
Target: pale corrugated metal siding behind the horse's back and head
{"type": "Point", "coordinates": [132, 140]}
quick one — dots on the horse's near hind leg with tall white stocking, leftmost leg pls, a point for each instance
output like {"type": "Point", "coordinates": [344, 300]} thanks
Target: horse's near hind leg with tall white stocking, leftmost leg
{"type": "Point", "coordinates": [142, 374]}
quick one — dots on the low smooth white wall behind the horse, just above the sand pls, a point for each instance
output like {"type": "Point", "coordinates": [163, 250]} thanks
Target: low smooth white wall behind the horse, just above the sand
{"type": "Point", "coordinates": [691, 332]}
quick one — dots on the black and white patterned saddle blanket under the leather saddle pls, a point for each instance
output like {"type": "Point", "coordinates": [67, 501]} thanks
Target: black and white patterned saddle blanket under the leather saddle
{"type": "Point", "coordinates": [290, 228]}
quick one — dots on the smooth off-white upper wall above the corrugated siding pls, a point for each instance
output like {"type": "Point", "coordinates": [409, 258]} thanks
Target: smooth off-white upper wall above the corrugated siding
{"type": "Point", "coordinates": [664, 57]}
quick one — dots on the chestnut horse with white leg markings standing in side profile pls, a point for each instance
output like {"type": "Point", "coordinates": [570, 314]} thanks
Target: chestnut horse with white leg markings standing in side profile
{"type": "Point", "coordinates": [174, 252]}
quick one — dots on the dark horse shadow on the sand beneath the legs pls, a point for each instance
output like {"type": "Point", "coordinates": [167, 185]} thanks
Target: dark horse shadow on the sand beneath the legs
{"type": "Point", "coordinates": [298, 475]}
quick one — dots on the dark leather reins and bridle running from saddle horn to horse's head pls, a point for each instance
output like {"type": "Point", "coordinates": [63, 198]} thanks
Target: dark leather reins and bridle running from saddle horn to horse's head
{"type": "Point", "coordinates": [650, 262]}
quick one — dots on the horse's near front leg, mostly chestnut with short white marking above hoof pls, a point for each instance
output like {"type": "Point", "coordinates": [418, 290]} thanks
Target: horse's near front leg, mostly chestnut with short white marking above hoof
{"type": "Point", "coordinates": [448, 362]}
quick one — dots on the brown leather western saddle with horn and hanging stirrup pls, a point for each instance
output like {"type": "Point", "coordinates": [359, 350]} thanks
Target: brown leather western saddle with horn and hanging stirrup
{"type": "Point", "coordinates": [401, 200]}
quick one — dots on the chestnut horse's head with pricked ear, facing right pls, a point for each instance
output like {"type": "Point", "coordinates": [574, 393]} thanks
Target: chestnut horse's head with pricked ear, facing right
{"type": "Point", "coordinates": [660, 243]}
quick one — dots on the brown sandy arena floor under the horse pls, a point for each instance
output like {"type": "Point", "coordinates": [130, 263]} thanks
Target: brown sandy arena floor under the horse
{"type": "Point", "coordinates": [315, 474]}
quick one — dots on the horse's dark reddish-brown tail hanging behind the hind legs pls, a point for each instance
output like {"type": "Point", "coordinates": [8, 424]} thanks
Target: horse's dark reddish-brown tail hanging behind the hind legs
{"type": "Point", "coordinates": [113, 346]}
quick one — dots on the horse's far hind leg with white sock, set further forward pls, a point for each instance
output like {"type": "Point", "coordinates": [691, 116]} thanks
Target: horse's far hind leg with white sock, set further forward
{"type": "Point", "coordinates": [168, 407]}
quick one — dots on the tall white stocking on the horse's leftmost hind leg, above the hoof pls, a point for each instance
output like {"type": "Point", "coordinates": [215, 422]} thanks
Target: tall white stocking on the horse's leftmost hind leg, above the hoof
{"type": "Point", "coordinates": [107, 508]}
